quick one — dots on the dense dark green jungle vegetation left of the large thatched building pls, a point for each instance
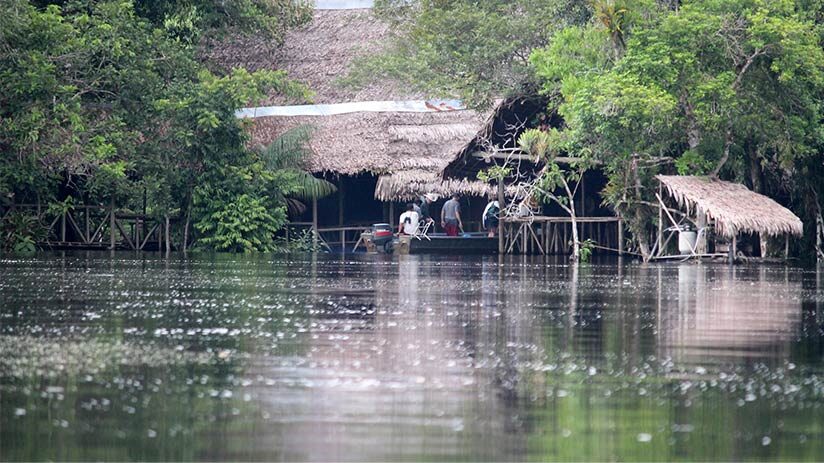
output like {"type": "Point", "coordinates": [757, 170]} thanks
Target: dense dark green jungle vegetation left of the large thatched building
{"type": "Point", "coordinates": [107, 101]}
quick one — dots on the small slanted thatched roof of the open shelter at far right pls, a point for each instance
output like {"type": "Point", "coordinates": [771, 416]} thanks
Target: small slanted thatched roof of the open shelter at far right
{"type": "Point", "coordinates": [734, 208]}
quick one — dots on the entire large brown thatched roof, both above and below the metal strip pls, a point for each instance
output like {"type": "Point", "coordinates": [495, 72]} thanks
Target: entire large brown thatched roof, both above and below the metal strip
{"type": "Point", "coordinates": [409, 150]}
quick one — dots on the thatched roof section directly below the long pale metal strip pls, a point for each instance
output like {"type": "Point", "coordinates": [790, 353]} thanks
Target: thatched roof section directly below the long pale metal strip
{"type": "Point", "coordinates": [381, 143]}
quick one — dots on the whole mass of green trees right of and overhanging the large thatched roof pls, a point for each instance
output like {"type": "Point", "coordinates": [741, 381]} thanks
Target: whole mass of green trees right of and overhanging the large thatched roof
{"type": "Point", "coordinates": [729, 88]}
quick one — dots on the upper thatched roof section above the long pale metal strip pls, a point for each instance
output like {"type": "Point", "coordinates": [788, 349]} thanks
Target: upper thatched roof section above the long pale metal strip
{"type": "Point", "coordinates": [318, 54]}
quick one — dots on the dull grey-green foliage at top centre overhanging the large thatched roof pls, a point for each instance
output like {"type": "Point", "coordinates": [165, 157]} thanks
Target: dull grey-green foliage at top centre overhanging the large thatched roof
{"type": "Point", "coordinates": [473, 50]}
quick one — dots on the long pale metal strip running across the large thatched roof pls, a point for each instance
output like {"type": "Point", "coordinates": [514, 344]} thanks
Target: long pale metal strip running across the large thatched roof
{"type": "Point", "coordinates": [417, 106]}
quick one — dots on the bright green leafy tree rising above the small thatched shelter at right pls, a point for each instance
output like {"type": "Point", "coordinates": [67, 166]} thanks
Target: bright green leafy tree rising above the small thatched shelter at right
{"type": "Point", "coordinates": [714, 83]}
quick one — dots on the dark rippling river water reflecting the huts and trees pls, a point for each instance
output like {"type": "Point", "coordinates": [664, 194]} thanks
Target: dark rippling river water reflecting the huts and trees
{"type": "Point", "coordinates": [408, 358]}
